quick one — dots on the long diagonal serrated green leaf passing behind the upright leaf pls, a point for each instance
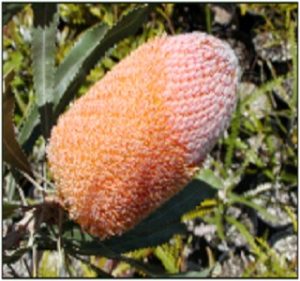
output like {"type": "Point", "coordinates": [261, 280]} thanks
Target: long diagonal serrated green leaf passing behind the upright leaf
{"type": "Point", "coordinates": [66, 83]}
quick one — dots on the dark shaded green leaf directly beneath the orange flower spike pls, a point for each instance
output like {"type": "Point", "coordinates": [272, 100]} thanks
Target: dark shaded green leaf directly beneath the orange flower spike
{"type": "Point", "coordinates": [158, 228]}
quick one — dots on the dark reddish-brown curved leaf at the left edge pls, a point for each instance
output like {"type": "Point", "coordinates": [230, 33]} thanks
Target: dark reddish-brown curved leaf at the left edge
{"type": "Point", "coordinates": [13, 153]}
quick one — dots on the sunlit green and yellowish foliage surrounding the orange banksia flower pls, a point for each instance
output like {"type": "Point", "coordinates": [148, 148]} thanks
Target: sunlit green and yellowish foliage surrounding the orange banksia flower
{"type": "Point", "coordinates": [256, 159]}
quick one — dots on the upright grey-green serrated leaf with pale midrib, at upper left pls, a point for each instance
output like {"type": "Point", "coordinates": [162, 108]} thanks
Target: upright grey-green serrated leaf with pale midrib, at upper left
{"type": "Point", "coordinates": [43, 59]}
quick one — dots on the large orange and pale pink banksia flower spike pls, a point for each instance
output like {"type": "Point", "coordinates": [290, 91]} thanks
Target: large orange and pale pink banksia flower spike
{"type": "Point", "coordinates": [136, 137]}
